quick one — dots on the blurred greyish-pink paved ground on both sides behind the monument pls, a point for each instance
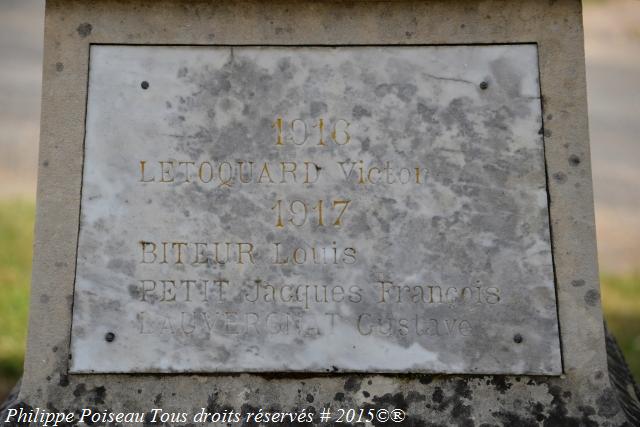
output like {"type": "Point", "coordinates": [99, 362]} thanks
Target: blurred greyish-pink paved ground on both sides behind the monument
{"type": "Point", "coordinates": [613, 72]}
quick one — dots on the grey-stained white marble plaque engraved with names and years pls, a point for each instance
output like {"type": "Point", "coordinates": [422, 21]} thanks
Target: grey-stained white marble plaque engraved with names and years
{"type": "Point", "coordinates": [321, 209]}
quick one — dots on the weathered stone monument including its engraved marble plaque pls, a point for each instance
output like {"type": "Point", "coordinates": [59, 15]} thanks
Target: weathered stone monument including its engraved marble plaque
{"type": "Point", "coordinates": [283, 207]}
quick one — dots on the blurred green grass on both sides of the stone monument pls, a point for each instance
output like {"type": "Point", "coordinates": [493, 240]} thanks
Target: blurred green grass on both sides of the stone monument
{"type": "Point", "coordinates": [620, 296]}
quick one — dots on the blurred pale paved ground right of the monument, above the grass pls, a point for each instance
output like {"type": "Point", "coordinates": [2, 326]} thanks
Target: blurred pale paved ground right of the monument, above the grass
{"type": "Point", "coordinates": [612, 33]}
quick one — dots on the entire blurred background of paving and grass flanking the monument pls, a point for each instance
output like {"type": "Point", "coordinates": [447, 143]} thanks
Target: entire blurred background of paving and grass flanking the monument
{"type": "Point", "coordinates": [612, 33]}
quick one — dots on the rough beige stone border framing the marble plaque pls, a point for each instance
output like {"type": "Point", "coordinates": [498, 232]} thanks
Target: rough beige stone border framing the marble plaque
{"type": "Point", "coordinates": [582, 396]}
